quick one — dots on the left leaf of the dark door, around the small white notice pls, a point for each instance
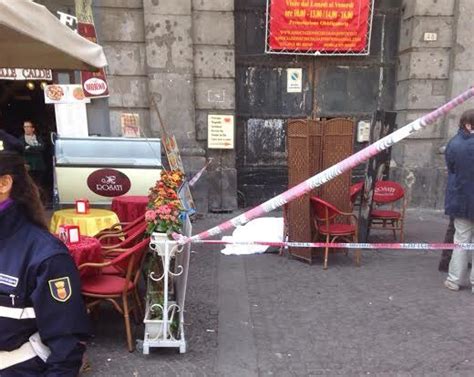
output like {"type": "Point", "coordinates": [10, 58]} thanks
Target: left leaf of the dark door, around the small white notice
{"type": "Point", "coordinates": [263, 106]}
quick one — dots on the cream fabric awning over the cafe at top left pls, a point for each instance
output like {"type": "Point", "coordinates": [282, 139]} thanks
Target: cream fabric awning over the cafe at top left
{"type": "Point", "coordinates": [32, 37]}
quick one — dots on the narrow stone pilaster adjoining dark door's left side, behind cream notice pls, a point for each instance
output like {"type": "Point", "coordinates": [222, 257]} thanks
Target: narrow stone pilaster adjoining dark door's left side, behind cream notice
{"type": "Point", "coordinates": [214, 71]}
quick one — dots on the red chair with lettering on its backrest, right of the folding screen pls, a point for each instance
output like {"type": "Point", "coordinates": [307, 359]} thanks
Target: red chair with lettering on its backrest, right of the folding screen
{"type": "Point", "coordinates": [388, 193]}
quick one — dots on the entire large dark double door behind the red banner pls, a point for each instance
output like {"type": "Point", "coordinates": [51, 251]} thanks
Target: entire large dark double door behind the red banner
{"type": "Point", "coordinates": [350, 87]}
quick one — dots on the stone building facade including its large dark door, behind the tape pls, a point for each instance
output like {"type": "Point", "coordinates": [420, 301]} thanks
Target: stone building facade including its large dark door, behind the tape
{"type": "Point", "coordinates": [192, 58]}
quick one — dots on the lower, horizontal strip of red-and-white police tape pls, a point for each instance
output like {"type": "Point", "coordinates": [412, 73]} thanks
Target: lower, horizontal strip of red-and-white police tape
{"type": "Point", "coordinates": [342, 245]}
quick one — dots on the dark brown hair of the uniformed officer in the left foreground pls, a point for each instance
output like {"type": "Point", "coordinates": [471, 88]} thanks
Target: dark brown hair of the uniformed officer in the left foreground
{"type": "Point", "coordinates": [24, 191]}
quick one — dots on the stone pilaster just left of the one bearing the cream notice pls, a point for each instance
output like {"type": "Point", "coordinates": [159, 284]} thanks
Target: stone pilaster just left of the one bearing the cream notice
{"type": "Point", "coordinates": [170, 67]}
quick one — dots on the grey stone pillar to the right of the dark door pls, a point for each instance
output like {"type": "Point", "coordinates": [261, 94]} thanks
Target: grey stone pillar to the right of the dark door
{"type": "Point", "coordinates": [430, 72]}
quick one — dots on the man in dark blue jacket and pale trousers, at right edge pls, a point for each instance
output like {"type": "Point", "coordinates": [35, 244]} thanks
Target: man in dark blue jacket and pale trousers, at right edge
{"type": "Point", "coordinates": [459, 201]}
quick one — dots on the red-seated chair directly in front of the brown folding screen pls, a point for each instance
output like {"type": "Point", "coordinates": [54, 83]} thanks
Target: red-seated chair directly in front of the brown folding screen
{"type": "Point", "coordinates": [325, 215]}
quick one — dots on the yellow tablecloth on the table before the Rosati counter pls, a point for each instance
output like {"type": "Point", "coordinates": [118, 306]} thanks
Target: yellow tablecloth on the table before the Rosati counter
{"type": "Point", "coordinates": [89, 224]}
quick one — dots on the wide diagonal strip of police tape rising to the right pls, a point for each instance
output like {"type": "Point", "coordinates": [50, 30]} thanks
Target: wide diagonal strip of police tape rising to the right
{"type": "Point", "coordinates": [335, 170]}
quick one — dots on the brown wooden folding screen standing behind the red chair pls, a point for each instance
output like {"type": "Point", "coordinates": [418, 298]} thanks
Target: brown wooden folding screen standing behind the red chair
{"type": "Point", "coordinates": [315, 145]}
